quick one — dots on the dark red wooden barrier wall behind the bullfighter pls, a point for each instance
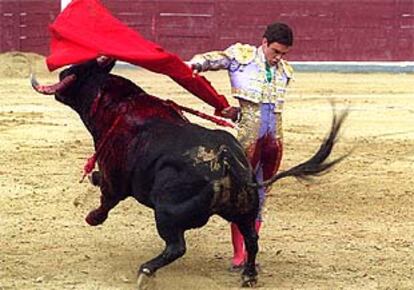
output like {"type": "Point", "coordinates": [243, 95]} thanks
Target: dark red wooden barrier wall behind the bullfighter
{"type": "Point", "coordinates": [325, 30]}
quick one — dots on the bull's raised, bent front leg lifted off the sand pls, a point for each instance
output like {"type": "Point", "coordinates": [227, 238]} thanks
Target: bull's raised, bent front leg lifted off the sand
{"type": "Point", "coordinates": [108, 202]}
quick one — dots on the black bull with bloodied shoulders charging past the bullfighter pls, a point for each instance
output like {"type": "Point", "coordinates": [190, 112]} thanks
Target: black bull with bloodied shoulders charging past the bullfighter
{"type": "Point", "coordinates": [186, 173]}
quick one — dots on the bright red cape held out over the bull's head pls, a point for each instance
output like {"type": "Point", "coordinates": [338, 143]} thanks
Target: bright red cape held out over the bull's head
{"type": "Point", "coordinates": [86, 29]}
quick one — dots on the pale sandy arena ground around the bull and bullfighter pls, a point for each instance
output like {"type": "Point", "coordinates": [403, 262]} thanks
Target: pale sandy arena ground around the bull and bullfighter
{"type": "Point", "coordinates": [350, 229]}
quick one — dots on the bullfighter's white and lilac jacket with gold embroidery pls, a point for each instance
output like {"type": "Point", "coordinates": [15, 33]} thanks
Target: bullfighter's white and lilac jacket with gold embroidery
{"type": "Point", "coordinates": [246, 66]}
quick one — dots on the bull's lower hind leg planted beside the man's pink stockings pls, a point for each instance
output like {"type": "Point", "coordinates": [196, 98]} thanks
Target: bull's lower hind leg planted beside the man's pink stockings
{"type": "Point", "coordinates": [249, 274]}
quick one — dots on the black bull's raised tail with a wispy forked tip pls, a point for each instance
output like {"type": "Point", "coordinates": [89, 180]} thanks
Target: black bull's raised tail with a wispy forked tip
{"type": "Point", "coordinates": [317, 164]}
